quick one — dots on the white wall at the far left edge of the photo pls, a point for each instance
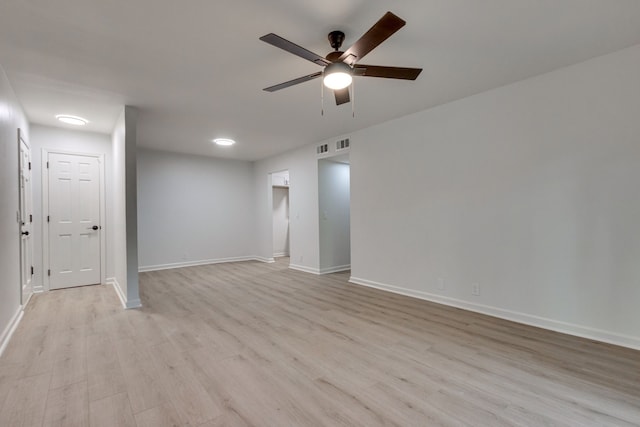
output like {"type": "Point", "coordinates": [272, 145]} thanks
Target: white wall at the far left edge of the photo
{"type": "Point", "coordinates": [12, 117]}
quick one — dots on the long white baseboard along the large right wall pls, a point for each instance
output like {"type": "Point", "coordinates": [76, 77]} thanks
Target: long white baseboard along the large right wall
{"type": "Point", "coordinates": [527, 319]}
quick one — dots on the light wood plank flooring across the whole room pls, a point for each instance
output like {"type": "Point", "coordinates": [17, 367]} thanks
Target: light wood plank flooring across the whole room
{"type": "Point", "coordinates": [258, 344]}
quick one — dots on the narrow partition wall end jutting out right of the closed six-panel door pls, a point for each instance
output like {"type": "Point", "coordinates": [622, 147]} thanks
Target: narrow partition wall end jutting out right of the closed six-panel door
{"type": "Point", "coordinates": [124, 208]}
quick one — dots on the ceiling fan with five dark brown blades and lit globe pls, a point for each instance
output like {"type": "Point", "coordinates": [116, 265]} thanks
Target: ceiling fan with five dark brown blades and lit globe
{"type": "Point", "coordinates": [340, 67]}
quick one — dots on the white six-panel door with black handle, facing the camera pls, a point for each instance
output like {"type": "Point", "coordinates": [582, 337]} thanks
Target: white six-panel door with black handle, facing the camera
{"type": "Point", "coordinates": [74, 220]}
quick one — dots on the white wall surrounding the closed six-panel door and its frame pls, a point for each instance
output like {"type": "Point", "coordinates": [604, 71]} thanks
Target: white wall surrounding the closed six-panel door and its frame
{"type": "Point", "coordinates": [50, 138]}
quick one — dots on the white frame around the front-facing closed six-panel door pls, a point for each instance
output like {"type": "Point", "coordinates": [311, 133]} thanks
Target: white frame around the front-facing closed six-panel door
{"type": "Point", "coordinates": [45, 211]}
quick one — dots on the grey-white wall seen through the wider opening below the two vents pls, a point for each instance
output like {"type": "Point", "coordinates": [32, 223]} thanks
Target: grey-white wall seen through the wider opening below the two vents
{"type": "Point", "coordinates": [334, 213]}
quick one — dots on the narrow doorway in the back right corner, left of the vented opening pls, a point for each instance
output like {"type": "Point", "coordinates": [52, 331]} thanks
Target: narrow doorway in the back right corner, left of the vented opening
{"type": "Point", "coordinates": [280, 198]}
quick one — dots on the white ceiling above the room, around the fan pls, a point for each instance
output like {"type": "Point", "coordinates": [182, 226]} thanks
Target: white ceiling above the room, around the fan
{"type": "Point", "coordinates": [196, 69]}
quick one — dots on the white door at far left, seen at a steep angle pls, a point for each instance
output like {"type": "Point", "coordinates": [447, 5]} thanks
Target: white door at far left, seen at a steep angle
{"type": "Point", "coordinates": [26, 221]}
